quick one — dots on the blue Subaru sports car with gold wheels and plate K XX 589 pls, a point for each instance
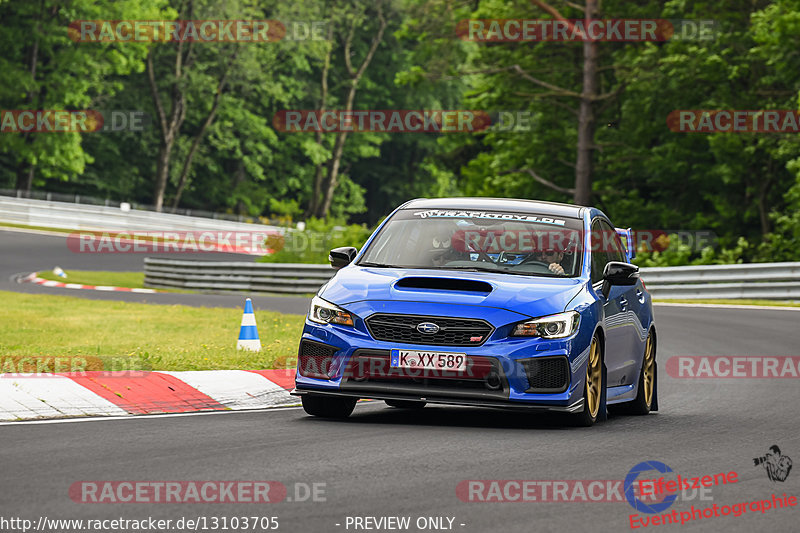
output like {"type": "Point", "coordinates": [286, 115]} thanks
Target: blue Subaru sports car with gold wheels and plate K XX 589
{"type": "Point", "coordinates": [484, 302]}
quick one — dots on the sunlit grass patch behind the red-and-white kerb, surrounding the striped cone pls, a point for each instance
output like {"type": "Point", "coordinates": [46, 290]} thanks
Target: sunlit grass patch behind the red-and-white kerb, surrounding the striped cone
{"type": "Point", "coordinates": [149, 337]}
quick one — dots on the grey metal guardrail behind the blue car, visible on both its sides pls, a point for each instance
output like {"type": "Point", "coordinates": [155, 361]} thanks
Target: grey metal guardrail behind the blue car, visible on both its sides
{"type": "Point", "coordinates": [778, 281]}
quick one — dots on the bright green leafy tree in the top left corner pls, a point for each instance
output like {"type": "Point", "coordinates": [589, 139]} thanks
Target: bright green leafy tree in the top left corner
{"type": "Point", "coordinates": [44, 69]}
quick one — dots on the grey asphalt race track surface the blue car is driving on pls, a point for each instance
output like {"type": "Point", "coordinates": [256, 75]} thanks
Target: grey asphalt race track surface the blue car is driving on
{"type": "Point", "coordinates": [388, 462]}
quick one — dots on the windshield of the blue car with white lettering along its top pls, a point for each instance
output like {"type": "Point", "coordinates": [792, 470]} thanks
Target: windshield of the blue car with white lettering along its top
{"type": "Point", "coordinates": [493, 241]}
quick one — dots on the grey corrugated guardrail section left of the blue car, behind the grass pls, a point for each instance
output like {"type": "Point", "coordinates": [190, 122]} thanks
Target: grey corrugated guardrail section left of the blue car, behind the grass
{"type": "Point", "coordinates": [286, 278]}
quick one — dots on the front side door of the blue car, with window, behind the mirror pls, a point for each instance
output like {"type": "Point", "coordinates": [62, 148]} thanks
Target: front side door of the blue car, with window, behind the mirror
{"type": "Point", "coordinates": [623, 305]}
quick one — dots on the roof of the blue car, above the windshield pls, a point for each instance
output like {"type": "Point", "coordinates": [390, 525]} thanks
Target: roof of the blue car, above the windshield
{"type": "Point", "coordinates": [500, 204]}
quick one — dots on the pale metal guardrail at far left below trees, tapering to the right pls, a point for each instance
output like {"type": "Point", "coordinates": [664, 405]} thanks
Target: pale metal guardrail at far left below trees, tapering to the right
{"type": "Point", "coordinates": [65, 215]}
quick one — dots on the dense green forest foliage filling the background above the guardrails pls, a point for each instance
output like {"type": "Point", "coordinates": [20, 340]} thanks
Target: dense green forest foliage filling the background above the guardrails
{"type": "Point", "coordinates": [223, 152]}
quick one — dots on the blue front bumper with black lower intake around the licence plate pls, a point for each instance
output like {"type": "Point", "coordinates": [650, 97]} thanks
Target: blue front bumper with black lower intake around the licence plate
{"type": "Point", "coordinates": [499, 372]}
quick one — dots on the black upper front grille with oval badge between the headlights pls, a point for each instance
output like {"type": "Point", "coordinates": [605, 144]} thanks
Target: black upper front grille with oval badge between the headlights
{"type": "Point", "coordinates": [452, 331]}
